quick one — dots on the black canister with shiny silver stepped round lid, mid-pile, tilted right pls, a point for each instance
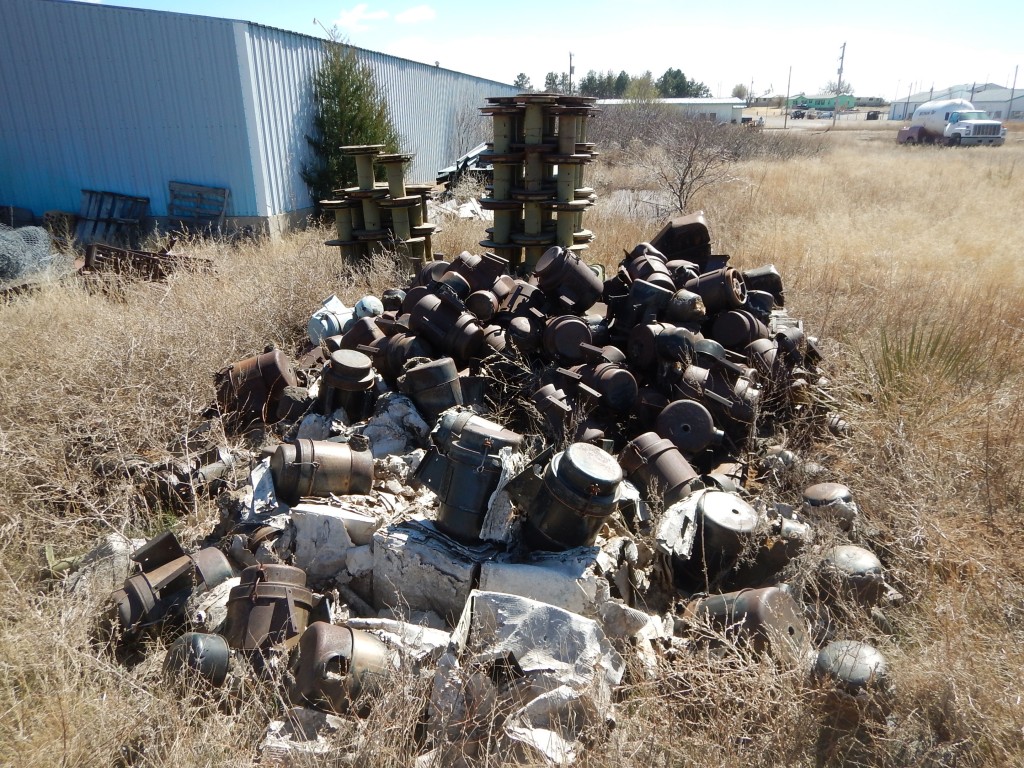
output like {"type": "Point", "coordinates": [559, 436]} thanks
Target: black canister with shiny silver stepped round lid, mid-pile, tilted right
{"type": "Point", "coordinates": [581, 488]}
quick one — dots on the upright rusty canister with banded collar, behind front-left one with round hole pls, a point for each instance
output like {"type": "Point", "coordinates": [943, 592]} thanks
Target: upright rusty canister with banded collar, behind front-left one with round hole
{"type": "Point", "coordinates": [271, 606]}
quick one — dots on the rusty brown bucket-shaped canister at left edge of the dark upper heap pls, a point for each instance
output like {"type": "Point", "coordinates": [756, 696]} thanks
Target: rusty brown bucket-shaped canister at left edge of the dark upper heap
{"type": "Point", "coordinates": [251, 388]}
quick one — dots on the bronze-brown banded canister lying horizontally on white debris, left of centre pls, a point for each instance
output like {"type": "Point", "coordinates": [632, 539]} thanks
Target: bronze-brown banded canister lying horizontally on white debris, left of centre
{"type": "Point", "coordinates": [321, 468]}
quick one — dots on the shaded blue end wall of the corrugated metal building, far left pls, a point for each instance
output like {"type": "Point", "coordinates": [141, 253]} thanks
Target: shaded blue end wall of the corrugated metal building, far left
{"type": "Point", "coordinates": [118, 100]}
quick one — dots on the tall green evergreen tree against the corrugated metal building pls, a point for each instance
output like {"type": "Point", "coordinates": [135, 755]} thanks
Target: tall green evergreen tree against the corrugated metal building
{"type": "Point", "coordinates": [350, 109]}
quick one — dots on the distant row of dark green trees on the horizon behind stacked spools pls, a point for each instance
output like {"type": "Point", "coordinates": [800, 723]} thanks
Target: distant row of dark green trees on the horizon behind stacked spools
{"type": "Point", "coordinates": [673, 84]}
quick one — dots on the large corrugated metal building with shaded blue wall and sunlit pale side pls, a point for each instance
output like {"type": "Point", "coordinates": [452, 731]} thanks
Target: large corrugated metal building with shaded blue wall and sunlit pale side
{"type": "Point", "coordinates": [127, 101]}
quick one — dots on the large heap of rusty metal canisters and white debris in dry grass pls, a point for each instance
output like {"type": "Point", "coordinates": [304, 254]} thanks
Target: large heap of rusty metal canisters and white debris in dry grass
{"type": "Point", "coordinates": [521, 485]}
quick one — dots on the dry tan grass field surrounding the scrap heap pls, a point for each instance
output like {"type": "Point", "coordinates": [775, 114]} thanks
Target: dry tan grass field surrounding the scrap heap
{"type": "Point", "coordinates": [906, 263]}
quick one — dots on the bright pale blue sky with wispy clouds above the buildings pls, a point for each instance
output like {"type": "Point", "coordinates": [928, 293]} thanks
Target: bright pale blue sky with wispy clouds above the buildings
{"type": "Point", "coordinates": [890, 46]}
